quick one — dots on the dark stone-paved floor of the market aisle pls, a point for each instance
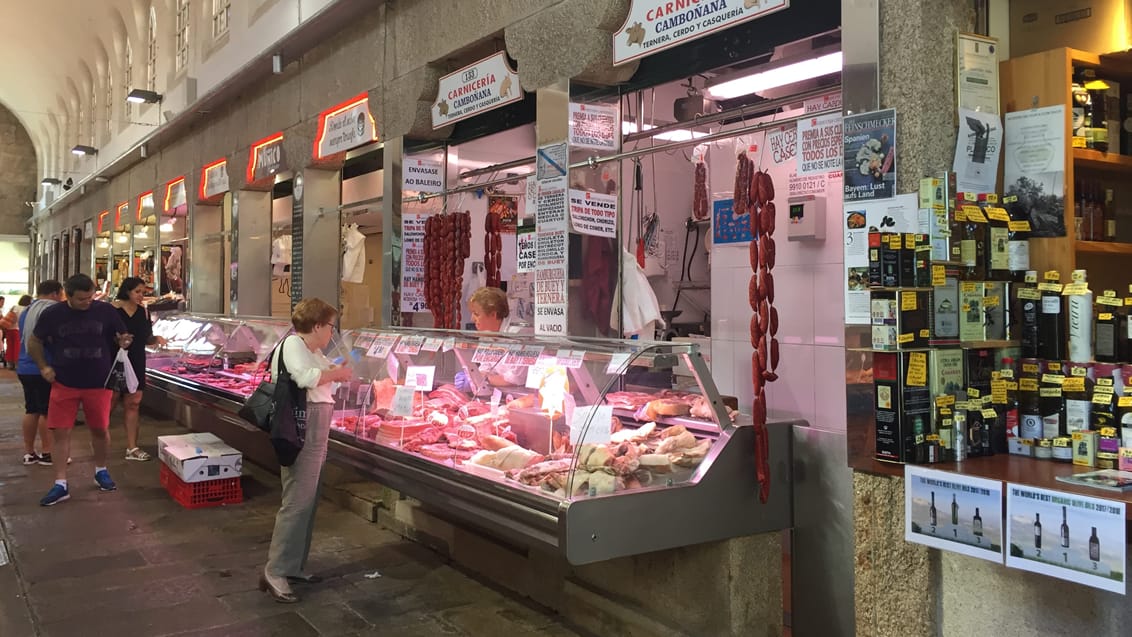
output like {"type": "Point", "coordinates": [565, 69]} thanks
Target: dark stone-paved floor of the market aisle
{"type": "Point", "coordinates": [134, 563]}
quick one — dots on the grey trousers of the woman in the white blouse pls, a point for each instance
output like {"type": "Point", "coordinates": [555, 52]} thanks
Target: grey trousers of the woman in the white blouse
{"type": "Point", "coordinates": [296, 521]}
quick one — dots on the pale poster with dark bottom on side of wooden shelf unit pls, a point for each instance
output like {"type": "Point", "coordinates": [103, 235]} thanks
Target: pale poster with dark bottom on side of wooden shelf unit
{"type": "Point", "coordinates": [1034, 169]}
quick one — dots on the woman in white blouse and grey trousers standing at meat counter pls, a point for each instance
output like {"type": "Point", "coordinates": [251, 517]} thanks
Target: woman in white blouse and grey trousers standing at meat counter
{"type": "Point", "coordinates": [303, 352]}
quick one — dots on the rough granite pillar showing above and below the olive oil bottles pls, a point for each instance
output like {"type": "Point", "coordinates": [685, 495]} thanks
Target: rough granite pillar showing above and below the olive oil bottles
{"type": "Point", "coordinates": [898, 586]}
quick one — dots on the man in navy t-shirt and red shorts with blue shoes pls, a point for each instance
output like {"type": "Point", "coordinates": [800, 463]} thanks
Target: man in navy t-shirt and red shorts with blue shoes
{"type": "Point", "coordinates": [82, 338]}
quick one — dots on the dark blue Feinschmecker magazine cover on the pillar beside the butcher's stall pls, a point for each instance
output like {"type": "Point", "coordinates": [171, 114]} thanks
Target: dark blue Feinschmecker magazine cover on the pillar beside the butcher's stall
{"type": "Point", "coordinates": [870, 145]}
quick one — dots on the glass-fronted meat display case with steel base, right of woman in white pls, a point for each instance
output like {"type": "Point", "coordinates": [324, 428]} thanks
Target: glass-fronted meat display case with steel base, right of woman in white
{"type": "Point", "coordinates": [595, 449]}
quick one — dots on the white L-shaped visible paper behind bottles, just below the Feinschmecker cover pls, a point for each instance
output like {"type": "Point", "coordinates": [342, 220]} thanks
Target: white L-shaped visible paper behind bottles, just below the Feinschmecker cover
{"type": "Point", "coordinates": [899, 214]}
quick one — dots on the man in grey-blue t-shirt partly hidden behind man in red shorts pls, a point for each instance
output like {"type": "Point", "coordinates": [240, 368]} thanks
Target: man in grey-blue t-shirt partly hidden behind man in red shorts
{"type": "Point", "coordinates": [37, 391]}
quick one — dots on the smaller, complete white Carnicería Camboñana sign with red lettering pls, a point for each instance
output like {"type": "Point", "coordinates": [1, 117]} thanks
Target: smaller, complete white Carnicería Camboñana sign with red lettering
{"type": "Point", "coordinates": [475, 90]}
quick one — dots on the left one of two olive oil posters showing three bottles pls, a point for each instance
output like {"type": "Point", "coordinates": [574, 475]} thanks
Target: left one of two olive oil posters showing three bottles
{"type": "Point", "coordinates": [954, 513]}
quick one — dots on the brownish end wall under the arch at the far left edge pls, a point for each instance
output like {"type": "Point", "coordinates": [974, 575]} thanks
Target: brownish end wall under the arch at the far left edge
{"type": "Point", "coordinates": [18, 175]}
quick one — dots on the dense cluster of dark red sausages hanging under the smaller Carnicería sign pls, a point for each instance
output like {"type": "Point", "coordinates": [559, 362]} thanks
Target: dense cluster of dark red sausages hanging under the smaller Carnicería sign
{"type": "Point", "coordinates": [448, 245]}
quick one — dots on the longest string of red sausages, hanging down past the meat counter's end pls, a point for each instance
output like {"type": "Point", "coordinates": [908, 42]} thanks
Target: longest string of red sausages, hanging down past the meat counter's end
{"type": "Point", "coordinates": [754, 195]}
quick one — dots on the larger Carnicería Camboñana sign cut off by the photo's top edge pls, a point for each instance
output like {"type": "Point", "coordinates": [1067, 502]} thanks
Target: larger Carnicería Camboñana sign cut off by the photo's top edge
{"type": "Point", "coordinates": [655, 25]}
